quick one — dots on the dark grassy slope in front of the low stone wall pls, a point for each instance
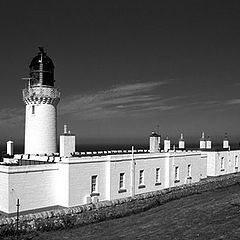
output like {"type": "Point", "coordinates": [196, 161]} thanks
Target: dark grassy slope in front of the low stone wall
{"type": "Point", "coordinates": [210, 215]}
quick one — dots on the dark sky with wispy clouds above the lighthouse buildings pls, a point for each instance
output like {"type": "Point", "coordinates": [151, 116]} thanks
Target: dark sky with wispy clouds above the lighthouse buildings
{"type": "Point", "coordinates": [124, 67]}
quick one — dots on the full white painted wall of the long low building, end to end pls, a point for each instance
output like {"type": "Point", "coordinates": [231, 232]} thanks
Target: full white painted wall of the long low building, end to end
{"type": "Point", "coordinates": [68, 182]}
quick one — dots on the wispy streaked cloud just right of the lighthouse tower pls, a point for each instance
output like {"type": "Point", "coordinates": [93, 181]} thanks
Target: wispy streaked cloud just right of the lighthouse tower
{"type": "Point", "coordinates": [121, 100]}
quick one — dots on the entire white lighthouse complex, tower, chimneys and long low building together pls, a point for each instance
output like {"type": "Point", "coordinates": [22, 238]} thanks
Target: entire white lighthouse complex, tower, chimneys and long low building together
{"type": "Point", "coordinates": [40, 179]}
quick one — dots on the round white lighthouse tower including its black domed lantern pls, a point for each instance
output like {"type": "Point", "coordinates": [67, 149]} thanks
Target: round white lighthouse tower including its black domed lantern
{"type": "Point", "coordinates": [41, 99]}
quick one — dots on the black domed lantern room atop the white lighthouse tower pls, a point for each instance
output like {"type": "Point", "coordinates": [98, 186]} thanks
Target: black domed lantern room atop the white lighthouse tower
{"type": "Point", "coordinates": [42, 70]}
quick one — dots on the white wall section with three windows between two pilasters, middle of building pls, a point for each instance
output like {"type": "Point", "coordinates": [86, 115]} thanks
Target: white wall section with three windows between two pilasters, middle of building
{"type": "Point", "coordinates": [147, 162]}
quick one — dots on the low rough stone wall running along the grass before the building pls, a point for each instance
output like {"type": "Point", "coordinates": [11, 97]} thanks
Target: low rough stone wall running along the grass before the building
{"type": "Point", "coordinates": [86, 214]}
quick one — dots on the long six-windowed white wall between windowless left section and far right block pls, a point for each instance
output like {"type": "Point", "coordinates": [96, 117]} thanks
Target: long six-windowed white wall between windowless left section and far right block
{"type": "Point", "coordinates": [108, 169]}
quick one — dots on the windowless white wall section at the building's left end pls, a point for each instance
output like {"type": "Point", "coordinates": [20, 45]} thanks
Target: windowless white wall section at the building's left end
{"type": "Point", "coordinates": [34, 185]}
